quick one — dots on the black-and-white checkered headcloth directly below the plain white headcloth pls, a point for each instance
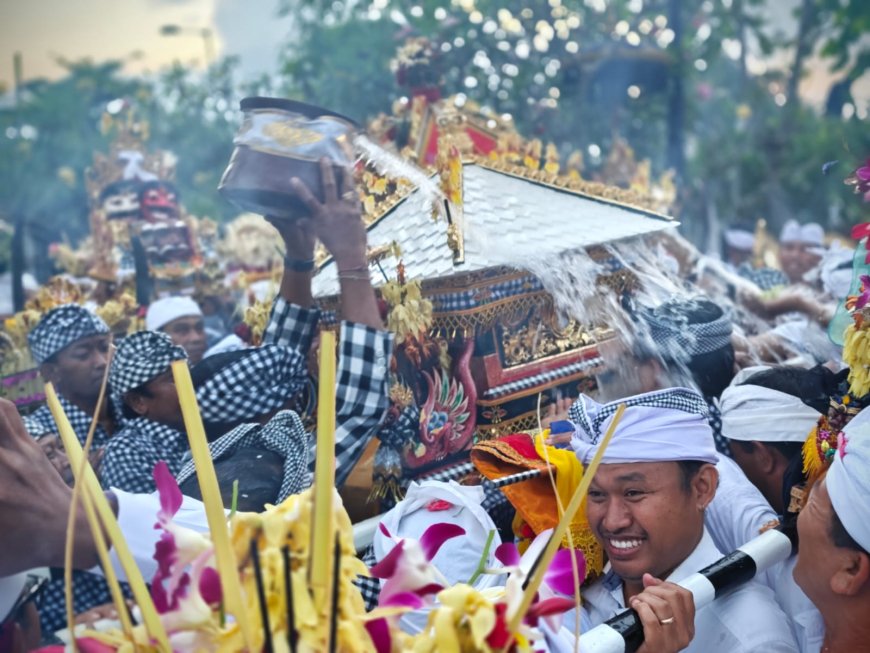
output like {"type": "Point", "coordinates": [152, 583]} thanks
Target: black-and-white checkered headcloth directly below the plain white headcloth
{"type": "Point", "coordinates": [141, 357]}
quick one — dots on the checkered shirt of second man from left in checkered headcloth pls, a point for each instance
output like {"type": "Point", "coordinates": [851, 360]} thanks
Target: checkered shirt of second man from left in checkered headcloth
{"type": "Point", "coordinates": [131, 454]}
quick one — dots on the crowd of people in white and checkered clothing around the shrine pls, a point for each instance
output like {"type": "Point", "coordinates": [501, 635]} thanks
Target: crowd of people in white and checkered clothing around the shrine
{"type": "Point", "coordinates": [728, 430]}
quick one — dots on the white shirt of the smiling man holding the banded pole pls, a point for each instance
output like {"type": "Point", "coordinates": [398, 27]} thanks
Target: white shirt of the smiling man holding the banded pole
{"type": "Point", "coordinates": [747, 620]}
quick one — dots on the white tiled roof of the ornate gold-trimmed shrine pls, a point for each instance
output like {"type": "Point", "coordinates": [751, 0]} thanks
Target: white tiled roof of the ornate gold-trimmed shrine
{"type": "Point", "coordinates": [507, 220]}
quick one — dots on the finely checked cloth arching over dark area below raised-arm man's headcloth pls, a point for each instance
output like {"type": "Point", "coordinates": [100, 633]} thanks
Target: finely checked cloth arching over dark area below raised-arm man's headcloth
{"type": "Point", "coordinates": [283, 434]}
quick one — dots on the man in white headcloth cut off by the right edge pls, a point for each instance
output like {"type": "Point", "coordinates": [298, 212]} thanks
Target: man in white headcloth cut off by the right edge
{"type": "Point", "coordinates": [833, 565]}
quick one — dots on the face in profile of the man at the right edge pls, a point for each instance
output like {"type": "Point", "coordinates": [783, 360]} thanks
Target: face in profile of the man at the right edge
{"type": "Point", "coordinates": [817, 560]}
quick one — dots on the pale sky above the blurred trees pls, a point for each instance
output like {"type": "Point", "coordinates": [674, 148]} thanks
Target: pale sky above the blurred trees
{"type": "Point", "coordinates": [42, 30]}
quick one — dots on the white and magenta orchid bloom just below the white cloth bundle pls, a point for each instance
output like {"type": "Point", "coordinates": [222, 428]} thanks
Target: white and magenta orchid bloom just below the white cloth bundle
{"type": "Point", "coordinates": [406, 569]}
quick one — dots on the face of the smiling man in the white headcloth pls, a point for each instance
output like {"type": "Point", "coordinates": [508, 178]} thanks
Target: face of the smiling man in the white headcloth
{"type": "Point", "coordinates": [644, 518]}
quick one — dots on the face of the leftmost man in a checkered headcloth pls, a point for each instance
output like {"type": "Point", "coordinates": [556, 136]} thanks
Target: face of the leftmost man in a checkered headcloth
{"type": "Point", "coordinates": [78, 370]}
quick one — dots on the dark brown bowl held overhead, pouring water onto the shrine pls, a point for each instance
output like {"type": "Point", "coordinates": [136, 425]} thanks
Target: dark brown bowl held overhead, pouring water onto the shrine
{"type": "Point", "coordinates": [279, 140]}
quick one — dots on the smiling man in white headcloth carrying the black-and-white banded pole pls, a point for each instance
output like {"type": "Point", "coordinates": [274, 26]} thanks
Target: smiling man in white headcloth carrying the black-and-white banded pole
{"type": "Point", "coordinates": [646, 507]}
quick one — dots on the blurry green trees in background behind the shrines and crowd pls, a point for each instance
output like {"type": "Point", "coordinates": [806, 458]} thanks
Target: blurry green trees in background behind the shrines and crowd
{"type": "Point", "coordinates": [685, 82]}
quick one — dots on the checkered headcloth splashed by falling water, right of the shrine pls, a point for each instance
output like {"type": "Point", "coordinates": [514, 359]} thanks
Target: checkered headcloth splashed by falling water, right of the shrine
{"type": "Point", "coordinates": [675, 338]}
